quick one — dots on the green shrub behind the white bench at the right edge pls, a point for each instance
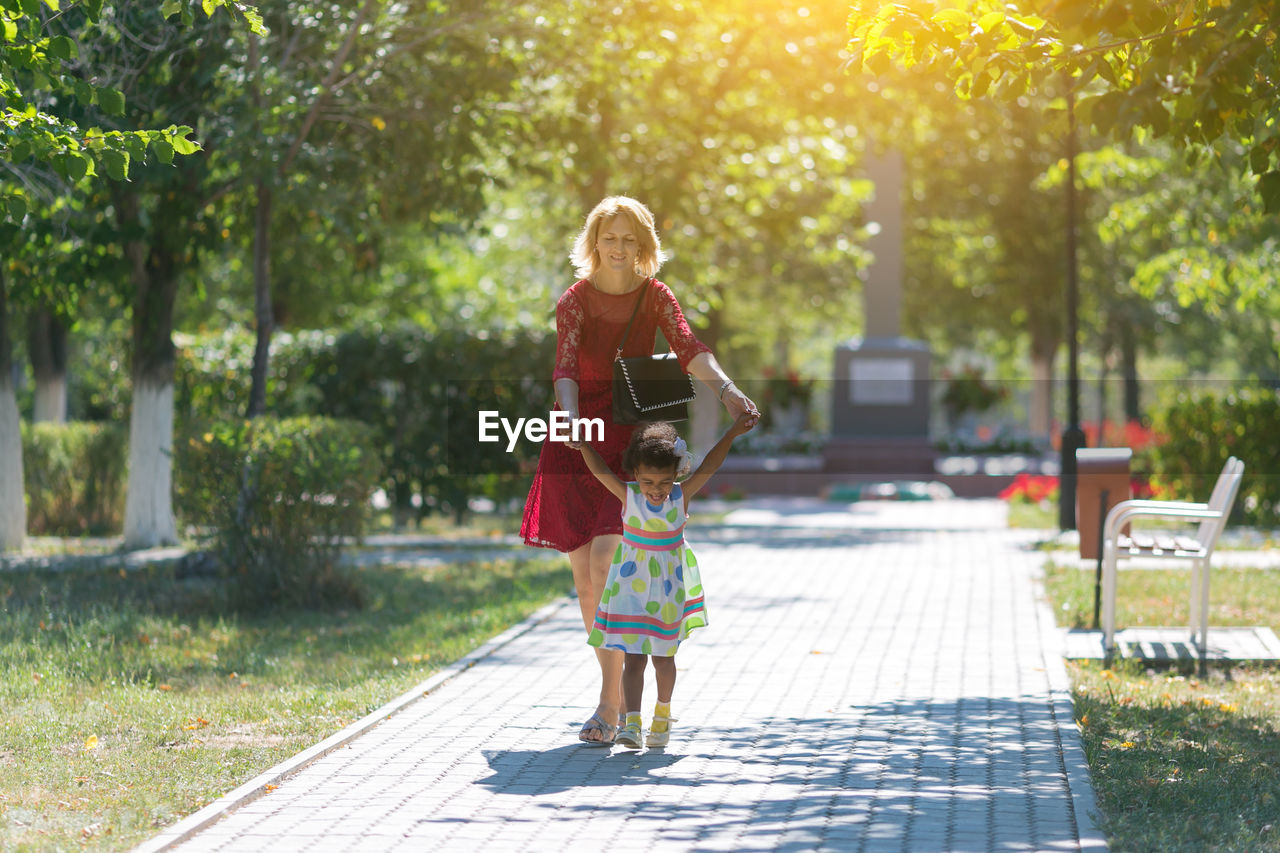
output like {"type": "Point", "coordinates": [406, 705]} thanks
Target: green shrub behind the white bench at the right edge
{"type": "Point", "coordinates": [1201, 431]}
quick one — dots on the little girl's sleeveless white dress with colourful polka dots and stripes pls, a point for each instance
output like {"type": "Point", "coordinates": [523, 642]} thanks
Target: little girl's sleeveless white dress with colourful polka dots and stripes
{"type": "Point", "coordinates": [653, 597]}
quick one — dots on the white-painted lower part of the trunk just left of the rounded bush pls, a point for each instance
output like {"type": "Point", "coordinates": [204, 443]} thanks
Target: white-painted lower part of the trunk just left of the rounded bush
{"type": "Point", "coordinates": [149, 521]}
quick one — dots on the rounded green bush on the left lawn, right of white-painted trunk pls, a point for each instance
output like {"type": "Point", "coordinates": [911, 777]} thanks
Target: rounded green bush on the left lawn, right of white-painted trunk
{"type": "Point", "coordinates": [276, 500]}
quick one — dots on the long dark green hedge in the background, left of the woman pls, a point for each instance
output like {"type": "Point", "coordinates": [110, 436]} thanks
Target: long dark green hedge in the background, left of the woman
{"type": "Point", "coordinates": [418, 389]}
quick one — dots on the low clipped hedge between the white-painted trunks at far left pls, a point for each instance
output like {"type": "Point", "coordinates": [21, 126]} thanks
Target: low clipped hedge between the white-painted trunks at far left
{"type": "Point", "coordinates": [75, 477]}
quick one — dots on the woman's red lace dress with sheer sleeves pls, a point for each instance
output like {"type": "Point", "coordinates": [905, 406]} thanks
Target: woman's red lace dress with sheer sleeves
{"type": "Point", "coordinates": [568, 507]}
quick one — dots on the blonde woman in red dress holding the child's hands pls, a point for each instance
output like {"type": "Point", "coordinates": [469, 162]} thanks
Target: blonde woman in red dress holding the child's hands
{"type": "Point", "coordinates": [616, 256]}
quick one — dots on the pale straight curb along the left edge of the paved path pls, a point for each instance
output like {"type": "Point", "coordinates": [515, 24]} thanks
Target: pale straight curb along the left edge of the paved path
{"type": "Point", "coordinates": [257, 787]}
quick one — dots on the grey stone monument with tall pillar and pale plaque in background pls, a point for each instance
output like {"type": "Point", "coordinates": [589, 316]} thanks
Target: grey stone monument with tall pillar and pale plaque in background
{"type": "Point", "coordinates": [880, 408]}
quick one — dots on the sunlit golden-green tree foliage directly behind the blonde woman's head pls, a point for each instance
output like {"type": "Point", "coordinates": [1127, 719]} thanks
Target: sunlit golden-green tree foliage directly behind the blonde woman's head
{"type": "Point", "coordinates": [724, 120]}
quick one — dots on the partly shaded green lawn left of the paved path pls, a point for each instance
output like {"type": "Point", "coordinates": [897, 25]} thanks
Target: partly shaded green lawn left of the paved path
{"type": "Point", "coordinates": [130, 700]}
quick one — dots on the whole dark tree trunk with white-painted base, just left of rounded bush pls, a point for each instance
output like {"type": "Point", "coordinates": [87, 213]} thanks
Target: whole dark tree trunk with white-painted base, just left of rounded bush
{"type": "Point", "coordinates": [149, 519]}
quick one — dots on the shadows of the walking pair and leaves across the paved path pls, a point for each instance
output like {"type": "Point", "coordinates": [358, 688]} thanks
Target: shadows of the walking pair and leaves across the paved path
{"type": "Point", "coordinates": [976, 773]}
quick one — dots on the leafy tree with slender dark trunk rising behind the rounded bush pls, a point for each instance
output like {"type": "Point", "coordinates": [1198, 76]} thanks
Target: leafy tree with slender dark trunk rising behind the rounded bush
{"type": "Point", "coordinates": [368, 150]}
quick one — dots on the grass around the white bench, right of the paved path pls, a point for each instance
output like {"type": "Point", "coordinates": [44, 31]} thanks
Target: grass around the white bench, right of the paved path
{"type": "Point", "coordinates": [1180, 763]}
